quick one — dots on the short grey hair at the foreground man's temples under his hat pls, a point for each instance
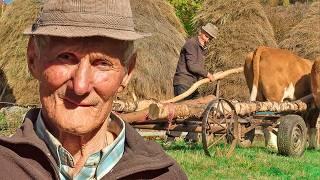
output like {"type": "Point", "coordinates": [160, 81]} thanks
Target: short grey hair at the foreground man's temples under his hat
{"type": "Point", "coordinates": [41, 41]}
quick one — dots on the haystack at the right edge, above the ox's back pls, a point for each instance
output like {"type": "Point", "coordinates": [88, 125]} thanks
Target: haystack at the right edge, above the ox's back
{"type": "Point", "coordinates": [304, 38]}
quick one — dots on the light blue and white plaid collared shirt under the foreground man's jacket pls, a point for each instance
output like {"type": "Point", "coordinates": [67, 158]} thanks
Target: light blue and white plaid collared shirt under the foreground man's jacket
{"type": "Point", "coordinates": [98, 164]}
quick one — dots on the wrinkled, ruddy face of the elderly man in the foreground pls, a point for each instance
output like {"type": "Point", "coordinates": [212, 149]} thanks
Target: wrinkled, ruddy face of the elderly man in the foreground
{"type": "Point", "coordinates": [78, 78]}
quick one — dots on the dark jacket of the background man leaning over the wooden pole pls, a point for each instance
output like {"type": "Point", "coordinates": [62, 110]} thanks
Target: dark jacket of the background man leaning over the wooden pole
{"type": "Point", "coordinates": [190, 67]}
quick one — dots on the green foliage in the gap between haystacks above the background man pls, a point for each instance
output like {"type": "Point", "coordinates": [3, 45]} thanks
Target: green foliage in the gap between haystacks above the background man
{"type": "Point", "coordinates": [186, 10]}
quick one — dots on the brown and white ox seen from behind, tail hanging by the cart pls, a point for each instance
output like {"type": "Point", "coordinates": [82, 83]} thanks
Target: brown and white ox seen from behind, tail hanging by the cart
{"type": "Point", "coordinates": [276, 75]}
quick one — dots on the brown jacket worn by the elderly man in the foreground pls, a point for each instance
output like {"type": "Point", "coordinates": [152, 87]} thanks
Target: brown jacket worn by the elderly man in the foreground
{"type": "Point", "coordinates": [26, 156]}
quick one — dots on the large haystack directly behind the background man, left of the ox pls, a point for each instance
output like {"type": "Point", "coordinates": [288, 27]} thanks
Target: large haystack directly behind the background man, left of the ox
{"type": "Point", "coordinates": [243, 25]}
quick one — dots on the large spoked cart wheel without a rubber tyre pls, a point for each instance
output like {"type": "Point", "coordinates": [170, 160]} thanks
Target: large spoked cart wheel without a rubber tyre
{"type": "Point", "coordinates": [218, 118]}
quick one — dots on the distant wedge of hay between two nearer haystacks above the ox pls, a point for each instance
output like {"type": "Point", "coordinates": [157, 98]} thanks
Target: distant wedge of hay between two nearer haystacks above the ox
{"type": "Point", "coordinates": [283, 18]}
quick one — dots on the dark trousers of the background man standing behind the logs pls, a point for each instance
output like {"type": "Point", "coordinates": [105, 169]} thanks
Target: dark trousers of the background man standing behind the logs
{"type": "Point", "coordinates": [179, 89]}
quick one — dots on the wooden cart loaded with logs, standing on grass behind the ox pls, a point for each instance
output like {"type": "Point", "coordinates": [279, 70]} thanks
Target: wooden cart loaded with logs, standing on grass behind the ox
{"type": "Point", "coordinates": [224, 120]}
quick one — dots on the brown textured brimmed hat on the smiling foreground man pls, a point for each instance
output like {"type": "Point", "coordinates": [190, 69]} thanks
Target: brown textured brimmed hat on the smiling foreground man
{"type": "Point", "coordinates": [85, 18]}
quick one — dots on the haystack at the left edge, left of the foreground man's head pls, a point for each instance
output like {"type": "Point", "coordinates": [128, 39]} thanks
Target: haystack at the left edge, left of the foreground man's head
{"type": "Point", "coordinates": [15, 19]}
